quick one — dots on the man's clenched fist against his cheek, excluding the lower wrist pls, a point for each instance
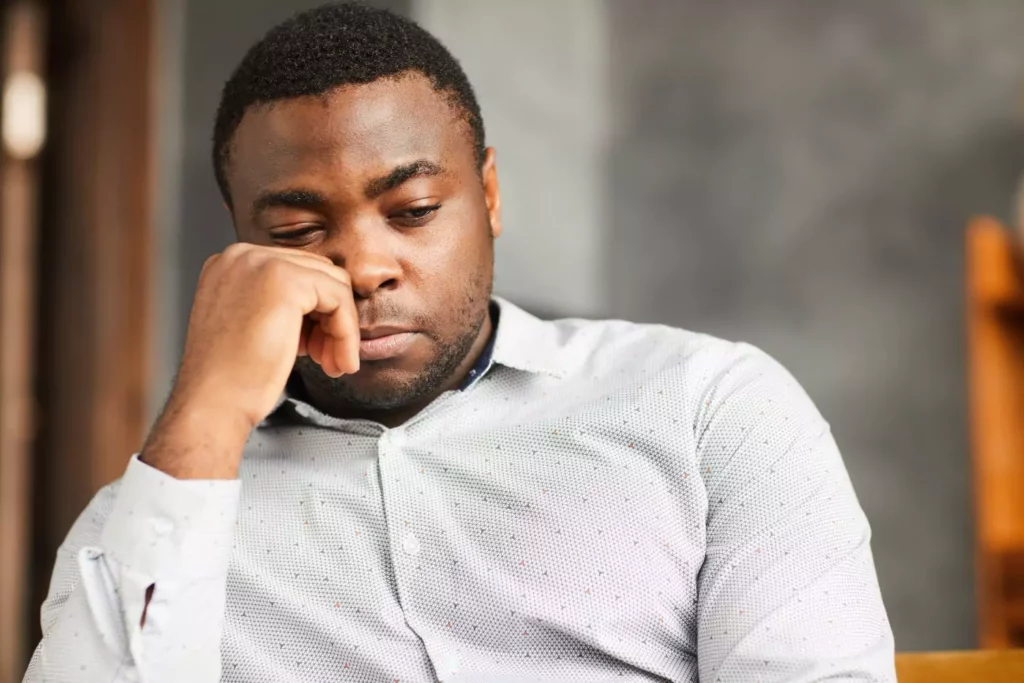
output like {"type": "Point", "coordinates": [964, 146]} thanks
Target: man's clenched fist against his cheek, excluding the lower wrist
{"type": "Point", "coordinates": [257, 309]}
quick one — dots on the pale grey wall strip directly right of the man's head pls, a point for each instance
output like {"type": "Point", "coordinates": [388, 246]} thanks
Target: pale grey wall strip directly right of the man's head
{"type": "Point", "coordinates": [542, 80]}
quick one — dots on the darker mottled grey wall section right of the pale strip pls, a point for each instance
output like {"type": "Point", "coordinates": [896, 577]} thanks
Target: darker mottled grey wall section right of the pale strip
{"type": "Point", "coordinates": [798, 175]}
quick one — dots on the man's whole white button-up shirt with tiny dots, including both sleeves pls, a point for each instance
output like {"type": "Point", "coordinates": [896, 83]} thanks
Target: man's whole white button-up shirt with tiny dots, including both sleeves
{"type": "Point", "coordinates": [609, 502]}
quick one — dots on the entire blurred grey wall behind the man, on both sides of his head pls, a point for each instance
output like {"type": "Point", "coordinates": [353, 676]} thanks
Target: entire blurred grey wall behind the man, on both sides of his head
{"type": "Point", "coordinates": [794, 174]}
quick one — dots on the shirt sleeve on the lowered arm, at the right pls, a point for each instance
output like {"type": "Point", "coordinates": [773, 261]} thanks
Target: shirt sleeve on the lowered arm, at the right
{"type": "Point", "coordinates": [788, 591]}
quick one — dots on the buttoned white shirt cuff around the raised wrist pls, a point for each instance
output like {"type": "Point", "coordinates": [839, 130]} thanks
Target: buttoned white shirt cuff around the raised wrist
{"type": "Point", "coordinates": [172, 529]}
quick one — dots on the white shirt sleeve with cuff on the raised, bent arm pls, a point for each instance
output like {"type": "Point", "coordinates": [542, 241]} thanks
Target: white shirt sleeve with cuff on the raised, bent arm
{"type": "Point", "coordinates": [148, 531]}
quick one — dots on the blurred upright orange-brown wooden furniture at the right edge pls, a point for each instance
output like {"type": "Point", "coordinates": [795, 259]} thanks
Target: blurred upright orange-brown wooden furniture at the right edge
{"type": "Point", "coordinates": [996, 364]}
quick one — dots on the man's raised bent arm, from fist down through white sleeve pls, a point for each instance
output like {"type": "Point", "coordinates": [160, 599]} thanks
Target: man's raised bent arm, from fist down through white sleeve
{"type": "Point", "coordinates": [140, 595]}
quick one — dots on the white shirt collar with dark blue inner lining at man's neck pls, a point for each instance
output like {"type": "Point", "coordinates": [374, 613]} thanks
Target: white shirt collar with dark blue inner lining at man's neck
{"type": "Point", "coordinates": [522, 343]}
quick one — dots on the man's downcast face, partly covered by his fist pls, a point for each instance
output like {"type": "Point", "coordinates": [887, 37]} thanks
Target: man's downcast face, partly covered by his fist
{"type": "Point", "coordinates": [382, 180]}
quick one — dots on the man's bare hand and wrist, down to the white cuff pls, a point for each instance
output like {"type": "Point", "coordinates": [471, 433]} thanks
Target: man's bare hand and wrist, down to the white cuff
{"type": "Point", "coordinates": [257, 309]}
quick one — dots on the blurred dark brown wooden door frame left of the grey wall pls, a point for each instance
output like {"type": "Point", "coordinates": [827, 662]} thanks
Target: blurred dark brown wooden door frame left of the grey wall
{"type": "Point", "coordinates": [95, 264]}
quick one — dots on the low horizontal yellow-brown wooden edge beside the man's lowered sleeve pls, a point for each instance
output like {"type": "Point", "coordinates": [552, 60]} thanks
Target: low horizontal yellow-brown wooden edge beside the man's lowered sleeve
{"type": "Point", "coordinates": [967, 667]}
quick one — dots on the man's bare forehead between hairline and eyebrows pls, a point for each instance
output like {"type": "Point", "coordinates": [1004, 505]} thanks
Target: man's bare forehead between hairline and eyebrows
{"type": "Point", "coordinates": [359, 132]}
